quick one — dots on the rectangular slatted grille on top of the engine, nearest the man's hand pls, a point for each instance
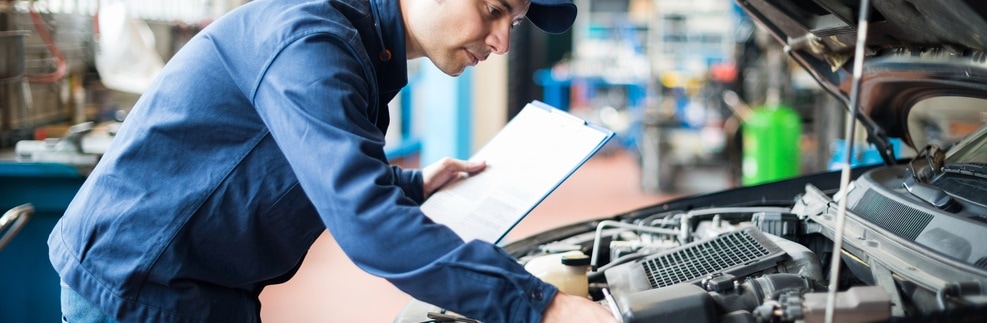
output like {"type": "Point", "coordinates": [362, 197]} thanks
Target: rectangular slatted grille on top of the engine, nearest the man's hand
{"type": "Point", "coordinates": [712, 256]}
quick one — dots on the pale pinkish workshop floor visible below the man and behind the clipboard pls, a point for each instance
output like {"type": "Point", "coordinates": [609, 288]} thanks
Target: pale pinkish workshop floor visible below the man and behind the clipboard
{"type": "Point", "coordinates": [329, 288]}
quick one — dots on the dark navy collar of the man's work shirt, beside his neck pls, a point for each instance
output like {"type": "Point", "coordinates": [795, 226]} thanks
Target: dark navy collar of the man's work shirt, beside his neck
{"type": "Point", "coordinates": [393, 73]}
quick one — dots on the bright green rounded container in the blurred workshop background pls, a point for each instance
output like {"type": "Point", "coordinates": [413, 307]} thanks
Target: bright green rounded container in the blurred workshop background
{"type": "Point", "coordinates": [771, 144]}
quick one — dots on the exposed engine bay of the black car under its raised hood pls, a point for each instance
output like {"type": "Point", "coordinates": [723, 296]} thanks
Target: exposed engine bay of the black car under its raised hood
{"type": "Point", "coordinates": [902, 258]}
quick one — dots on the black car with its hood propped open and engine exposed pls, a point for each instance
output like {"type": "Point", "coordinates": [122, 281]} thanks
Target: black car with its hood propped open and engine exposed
{"type": "Point", "coordinates": [908, 236]}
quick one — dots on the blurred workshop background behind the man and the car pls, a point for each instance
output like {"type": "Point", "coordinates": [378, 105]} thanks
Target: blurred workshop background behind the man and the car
{"type": "Point", "coordinates": [674, 79]}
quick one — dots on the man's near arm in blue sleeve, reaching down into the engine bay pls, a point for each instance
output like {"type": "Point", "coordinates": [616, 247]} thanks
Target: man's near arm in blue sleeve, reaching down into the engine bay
{"type": "Point", "coordinates": [314, 99]}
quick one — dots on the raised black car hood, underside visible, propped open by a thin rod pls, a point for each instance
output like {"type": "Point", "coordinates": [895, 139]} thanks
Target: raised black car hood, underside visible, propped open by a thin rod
{"type": "Point", "coordinates": [916, 49]}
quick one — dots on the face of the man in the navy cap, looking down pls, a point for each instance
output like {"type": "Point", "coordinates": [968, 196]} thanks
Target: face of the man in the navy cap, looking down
{"type": "Point", "coordinates": [455, 34]}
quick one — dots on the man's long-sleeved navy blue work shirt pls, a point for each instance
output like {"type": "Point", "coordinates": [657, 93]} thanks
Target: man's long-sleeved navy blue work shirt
{"type": "Point", "coordinates": [265, 129]}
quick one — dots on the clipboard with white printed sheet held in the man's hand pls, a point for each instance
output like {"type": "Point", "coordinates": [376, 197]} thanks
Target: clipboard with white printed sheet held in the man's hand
{"type": "Point", "coordinates": [534, 153]}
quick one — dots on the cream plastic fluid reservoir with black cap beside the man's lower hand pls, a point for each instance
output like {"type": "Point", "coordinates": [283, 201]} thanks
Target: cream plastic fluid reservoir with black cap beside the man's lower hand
{"type": "Point", "coordinates": [567, 271]}
